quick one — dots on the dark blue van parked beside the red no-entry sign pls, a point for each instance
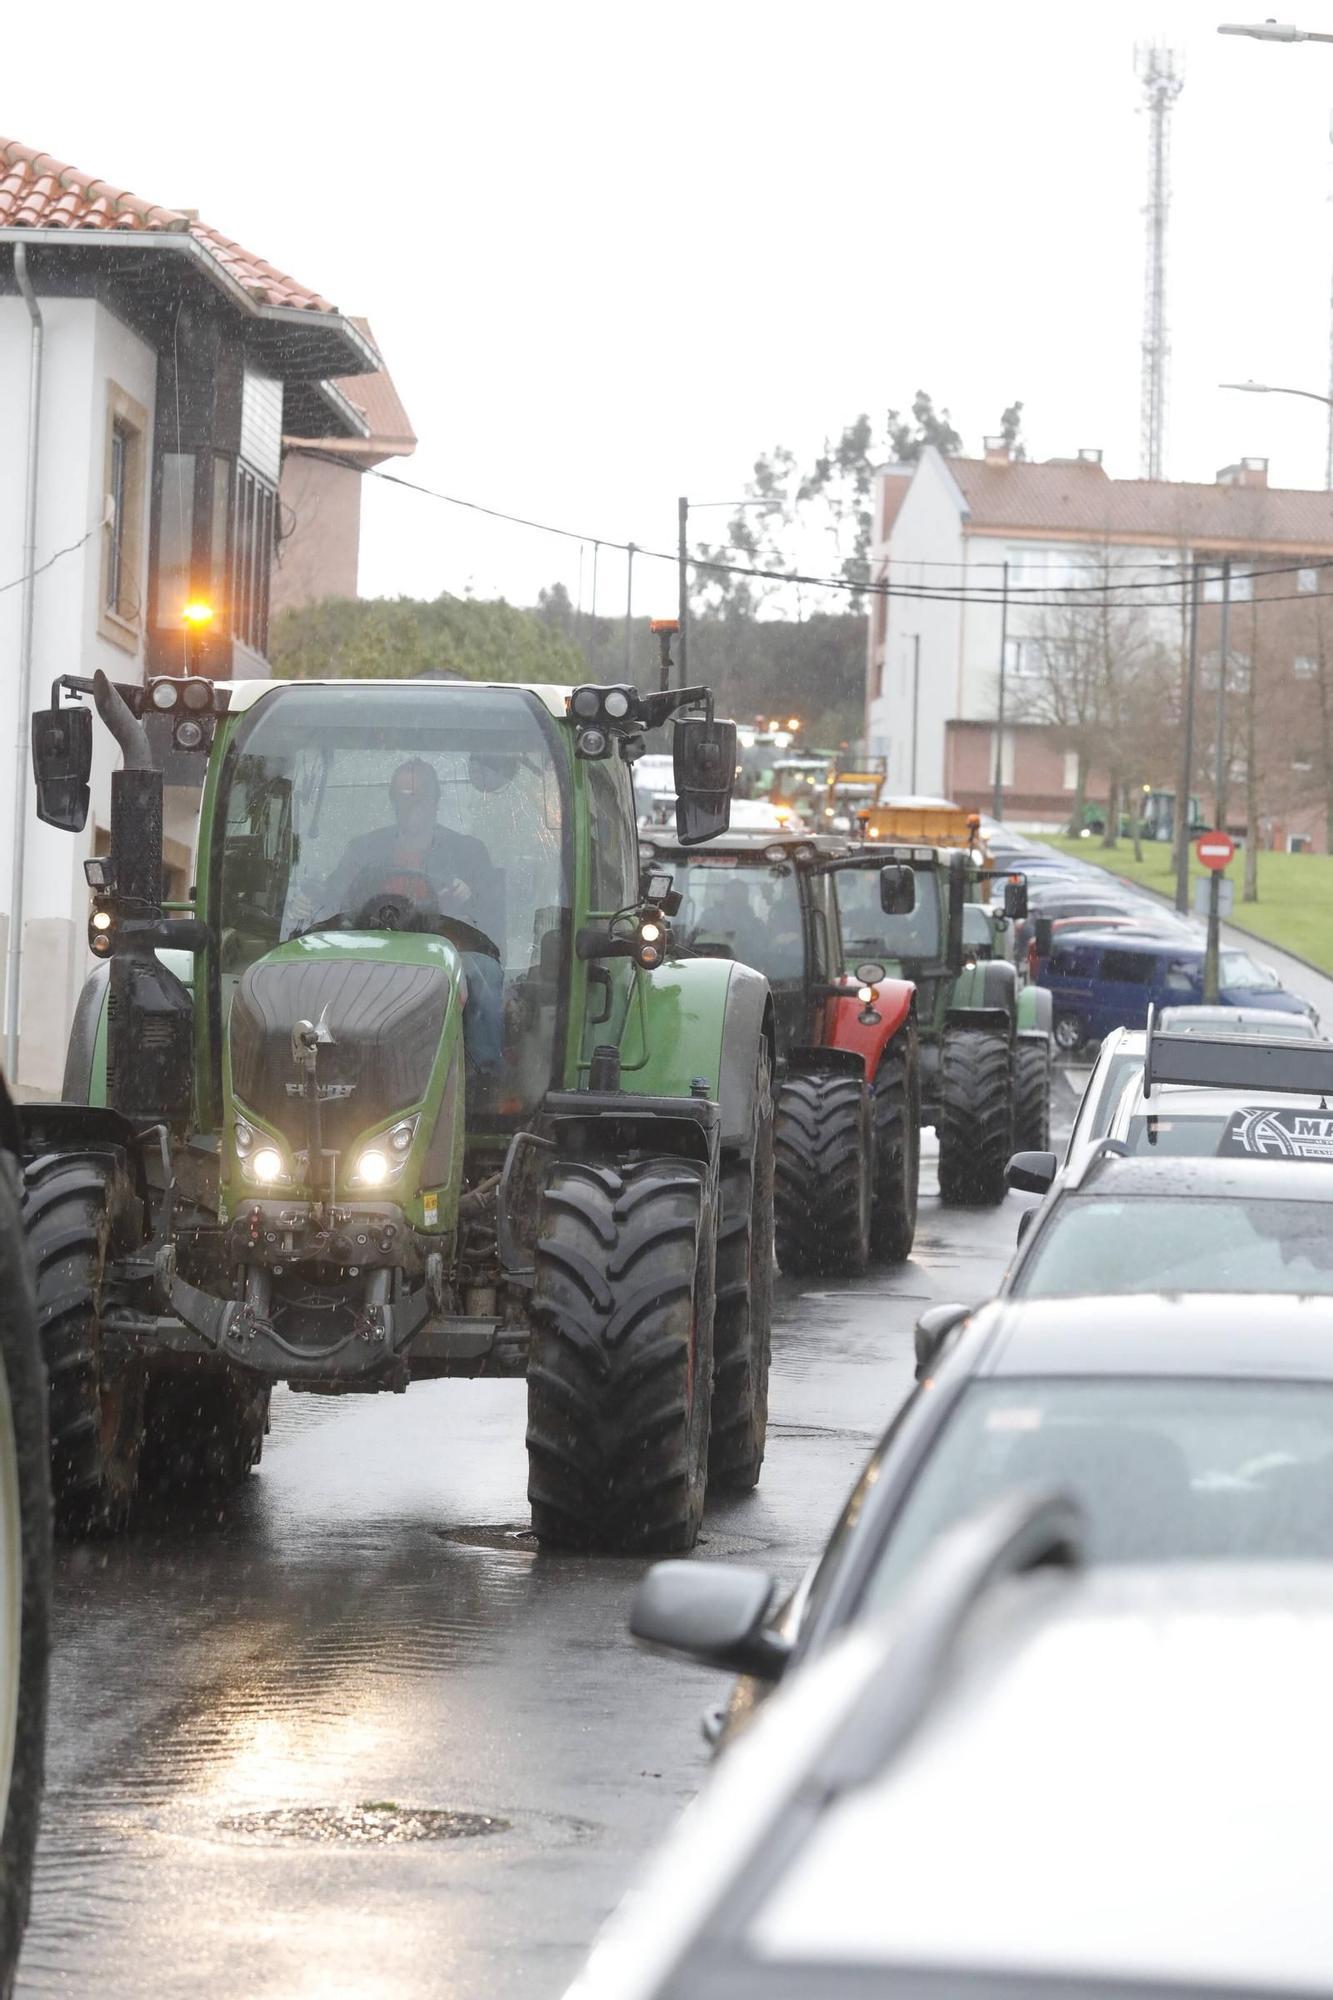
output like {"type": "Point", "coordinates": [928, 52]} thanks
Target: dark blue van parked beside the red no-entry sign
{"type": "Point", "coordinates": [1108, 981]}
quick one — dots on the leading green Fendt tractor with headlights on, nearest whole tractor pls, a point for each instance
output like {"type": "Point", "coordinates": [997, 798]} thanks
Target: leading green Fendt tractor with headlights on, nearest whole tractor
{"type": "Point", "coordinates": [403, 1089]}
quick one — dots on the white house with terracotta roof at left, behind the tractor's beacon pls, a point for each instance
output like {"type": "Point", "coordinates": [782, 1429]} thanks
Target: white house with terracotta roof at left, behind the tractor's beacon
{"type": "Point", "coordinates": [149, 371]}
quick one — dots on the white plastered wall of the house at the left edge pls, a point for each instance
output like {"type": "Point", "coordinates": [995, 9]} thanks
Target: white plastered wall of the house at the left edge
{"type": "Point", "coordinates": [87, 349]}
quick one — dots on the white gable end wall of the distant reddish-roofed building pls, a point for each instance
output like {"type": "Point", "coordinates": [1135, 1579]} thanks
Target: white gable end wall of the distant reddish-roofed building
{"type": "Point", "coordinates": [928, 531]}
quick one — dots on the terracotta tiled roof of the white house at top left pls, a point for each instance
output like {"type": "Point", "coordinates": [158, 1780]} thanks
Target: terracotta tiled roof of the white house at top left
{"type": "Point", "coordinates": [39, 193]}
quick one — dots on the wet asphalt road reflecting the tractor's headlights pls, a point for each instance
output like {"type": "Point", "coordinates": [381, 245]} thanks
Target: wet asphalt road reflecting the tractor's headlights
{"type": "Point", "coordinates": [367, 1625]}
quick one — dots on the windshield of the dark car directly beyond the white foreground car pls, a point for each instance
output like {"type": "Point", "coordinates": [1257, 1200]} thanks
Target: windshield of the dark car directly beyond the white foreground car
{"type": "Point", "coordinates": [1166, 1471]}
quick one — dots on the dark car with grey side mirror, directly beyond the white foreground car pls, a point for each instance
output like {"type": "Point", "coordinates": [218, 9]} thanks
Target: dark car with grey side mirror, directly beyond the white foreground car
{"type": "Point", "coordinates": [1182, 1429]}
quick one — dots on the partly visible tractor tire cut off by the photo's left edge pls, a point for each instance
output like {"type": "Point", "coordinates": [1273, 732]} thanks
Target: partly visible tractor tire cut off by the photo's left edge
{"type": "Point", "coordinates": [25, 1573]}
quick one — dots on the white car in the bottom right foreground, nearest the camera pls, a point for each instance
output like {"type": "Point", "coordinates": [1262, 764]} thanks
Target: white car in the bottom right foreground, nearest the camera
{"type": "Point", "coordinates": [1038, 1777]}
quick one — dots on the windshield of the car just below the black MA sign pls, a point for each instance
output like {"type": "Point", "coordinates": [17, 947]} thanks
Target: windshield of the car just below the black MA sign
{"type": "Point", "coordinates": [1096, 1243]}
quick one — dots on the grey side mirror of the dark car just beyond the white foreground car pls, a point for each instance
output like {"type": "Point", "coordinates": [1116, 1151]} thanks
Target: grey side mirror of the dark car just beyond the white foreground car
{"type": "Point", "coordinates": [714, 1613]}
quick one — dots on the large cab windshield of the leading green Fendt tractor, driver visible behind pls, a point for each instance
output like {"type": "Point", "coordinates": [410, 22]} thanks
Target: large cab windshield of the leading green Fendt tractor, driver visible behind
{"type": "Point", "coordinates": [405, 809]}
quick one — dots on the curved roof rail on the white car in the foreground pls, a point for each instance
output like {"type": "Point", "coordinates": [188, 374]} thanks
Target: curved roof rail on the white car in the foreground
{"type": "Point", "coordinates": [1012, 1537]}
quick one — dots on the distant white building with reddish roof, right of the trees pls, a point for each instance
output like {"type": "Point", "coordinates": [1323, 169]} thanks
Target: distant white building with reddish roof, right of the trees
{"type": "Point", "coordinates": [976, 547]}
